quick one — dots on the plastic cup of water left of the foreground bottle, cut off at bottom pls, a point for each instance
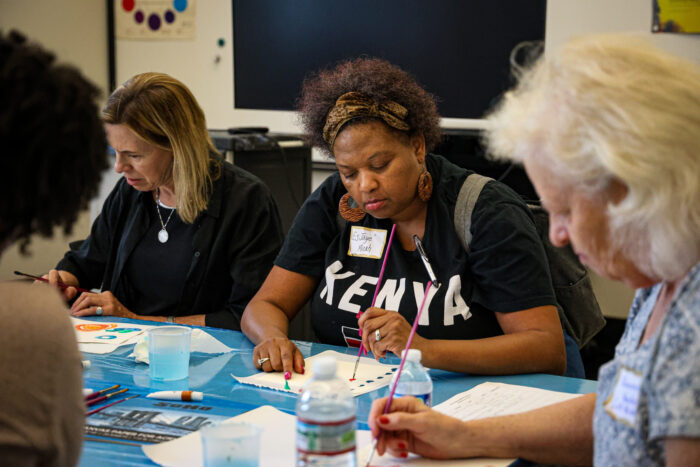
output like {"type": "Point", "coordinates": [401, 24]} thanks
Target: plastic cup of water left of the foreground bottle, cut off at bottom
{"type": "Point", "coordinates": [231, 444]}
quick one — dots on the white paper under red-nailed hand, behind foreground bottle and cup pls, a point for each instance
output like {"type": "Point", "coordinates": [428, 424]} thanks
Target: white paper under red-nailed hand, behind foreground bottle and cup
{"type": "Point", "coordinates": [280, 434]}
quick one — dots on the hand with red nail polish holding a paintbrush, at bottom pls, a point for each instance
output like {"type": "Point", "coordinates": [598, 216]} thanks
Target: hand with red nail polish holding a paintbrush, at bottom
{"type": "Point", "coordinates": [410, 426]}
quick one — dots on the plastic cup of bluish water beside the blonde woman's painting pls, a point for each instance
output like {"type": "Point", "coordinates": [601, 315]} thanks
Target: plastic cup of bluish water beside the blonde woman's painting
{"type": "Point", "coordinates": [169, 352]}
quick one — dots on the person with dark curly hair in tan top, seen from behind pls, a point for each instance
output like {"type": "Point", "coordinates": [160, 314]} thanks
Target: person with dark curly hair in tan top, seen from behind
{"type": "Point", "coordinates": [52, 135]}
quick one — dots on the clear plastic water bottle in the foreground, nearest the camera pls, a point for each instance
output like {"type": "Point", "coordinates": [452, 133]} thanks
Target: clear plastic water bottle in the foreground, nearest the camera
{"type": "Point", "coordinates": [326, 420]}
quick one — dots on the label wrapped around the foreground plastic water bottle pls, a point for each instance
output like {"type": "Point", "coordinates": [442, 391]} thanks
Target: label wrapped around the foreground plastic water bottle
{"type": "Point", "coordinates": [325, 438]}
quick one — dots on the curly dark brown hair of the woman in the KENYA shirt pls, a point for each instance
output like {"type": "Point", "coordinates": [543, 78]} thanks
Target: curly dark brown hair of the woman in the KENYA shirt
{"type": "Point", "coordinates": [375, 78]}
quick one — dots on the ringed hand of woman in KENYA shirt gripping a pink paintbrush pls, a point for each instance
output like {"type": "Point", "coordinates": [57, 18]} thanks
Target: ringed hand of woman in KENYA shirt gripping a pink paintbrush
{"type": "Point", "coordinates": [390, 327]}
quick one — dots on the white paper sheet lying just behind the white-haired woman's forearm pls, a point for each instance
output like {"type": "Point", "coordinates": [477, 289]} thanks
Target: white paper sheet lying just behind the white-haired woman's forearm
{"type": "Point", "coordinates": [494, 399]}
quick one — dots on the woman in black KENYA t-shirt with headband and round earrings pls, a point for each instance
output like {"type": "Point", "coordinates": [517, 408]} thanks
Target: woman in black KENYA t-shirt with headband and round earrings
{"type": "Point", "coordinates": [495, 312]}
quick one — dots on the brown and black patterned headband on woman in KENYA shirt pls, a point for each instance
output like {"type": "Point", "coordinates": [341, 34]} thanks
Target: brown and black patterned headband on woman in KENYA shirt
{"type": "Point", "coordinates": [354, 105]}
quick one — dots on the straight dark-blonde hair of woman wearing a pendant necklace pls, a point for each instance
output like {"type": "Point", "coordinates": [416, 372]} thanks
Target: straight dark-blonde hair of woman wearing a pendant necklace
{"type": "Point", "coordinates": [163, 112]}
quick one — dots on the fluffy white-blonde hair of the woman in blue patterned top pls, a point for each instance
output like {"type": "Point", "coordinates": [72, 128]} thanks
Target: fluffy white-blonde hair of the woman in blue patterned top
{"type": "Point", "coordinates": [612, 107]}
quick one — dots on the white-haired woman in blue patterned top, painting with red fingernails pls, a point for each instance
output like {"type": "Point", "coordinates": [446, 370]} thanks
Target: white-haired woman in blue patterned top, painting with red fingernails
{"type": "Point", "coordinates": [609, 132]}
